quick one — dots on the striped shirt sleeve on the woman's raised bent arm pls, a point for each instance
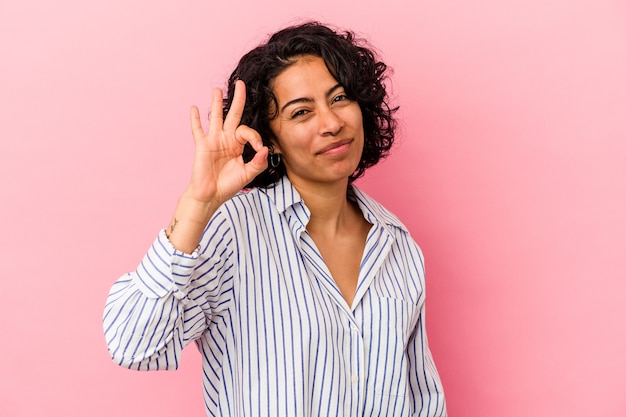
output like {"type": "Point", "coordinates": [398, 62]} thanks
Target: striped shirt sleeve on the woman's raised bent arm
{"type": "Point", "coordinates": [153, 312]}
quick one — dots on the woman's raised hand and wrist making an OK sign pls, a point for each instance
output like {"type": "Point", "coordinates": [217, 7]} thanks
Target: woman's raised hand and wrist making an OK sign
{"type": "Point", "coordinates": [219, 171]}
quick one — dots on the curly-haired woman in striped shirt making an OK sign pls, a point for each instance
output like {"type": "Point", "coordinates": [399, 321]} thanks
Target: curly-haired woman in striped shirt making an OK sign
{"type": "Point", "coordinates": [304, 295]}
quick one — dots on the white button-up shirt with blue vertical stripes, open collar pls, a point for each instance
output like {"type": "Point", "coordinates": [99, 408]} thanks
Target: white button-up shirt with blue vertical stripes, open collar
{"type": "Point", "coordinates": [276, 336]}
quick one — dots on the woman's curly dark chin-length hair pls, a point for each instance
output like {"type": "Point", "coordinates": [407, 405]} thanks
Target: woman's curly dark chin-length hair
{"type": "Point", "coordinates": [349, 60]}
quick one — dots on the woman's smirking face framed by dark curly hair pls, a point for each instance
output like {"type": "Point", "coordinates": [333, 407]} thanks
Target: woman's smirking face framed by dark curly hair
{"type": "Point", "coordinates": [318, 129]}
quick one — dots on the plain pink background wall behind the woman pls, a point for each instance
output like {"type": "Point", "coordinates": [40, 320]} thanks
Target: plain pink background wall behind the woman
{"type": "Point", "coordinates": [510, 171]}
